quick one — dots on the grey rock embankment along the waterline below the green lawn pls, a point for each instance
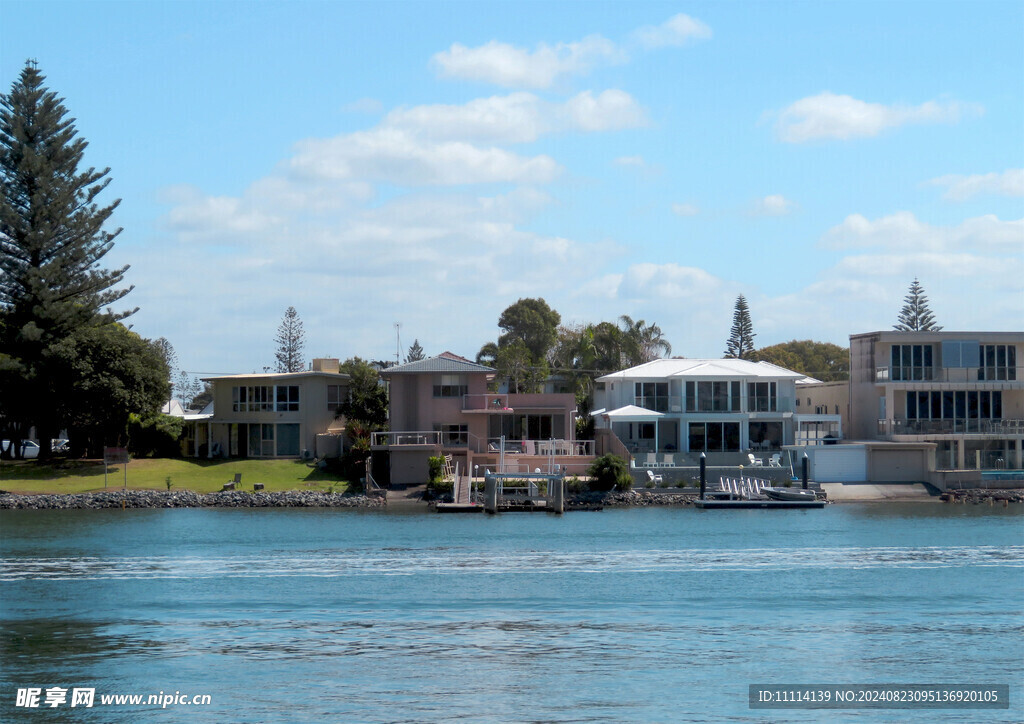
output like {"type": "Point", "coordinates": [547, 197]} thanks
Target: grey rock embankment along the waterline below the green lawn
{"type": "Point", "coordinates": [188, 499]}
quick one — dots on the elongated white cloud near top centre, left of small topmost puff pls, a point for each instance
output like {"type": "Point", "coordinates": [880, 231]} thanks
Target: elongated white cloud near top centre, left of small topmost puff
{"type": "Point", "coordinates": [513, 67]}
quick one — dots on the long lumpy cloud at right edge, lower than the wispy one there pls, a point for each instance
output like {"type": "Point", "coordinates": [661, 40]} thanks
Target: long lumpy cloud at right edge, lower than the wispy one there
{"type": "Point", "coordinates": [905, 231]}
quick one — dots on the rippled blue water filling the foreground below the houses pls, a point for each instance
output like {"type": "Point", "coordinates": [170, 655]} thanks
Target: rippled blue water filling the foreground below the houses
{"type": "Point", "coordinates": [656, 615]}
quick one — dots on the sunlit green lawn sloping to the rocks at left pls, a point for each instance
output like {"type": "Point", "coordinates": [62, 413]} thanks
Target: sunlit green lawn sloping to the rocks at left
{"type": "Point", "coordinates": [200, 476]}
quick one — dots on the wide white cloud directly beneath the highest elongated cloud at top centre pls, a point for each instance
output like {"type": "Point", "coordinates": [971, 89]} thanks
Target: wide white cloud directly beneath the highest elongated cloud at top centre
{"type": "Point", "coordinates": [519, 117]}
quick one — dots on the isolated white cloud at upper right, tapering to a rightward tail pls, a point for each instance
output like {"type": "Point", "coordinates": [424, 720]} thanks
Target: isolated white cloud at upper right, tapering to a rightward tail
{"type": "Point", "coordinates": [842, 117]}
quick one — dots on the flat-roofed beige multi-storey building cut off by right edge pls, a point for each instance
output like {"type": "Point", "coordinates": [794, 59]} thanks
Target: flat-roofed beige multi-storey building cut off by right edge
{"type": "Point", "coordinates": [963, 392]}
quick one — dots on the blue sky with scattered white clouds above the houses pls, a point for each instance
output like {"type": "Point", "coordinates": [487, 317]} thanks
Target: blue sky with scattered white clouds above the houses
{"type": "Point", "coordinates": [431, 163]}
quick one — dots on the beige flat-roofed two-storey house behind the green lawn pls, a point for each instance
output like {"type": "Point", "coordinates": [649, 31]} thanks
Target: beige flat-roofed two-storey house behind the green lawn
{"type": "Point", "coordinates": [283, 415]}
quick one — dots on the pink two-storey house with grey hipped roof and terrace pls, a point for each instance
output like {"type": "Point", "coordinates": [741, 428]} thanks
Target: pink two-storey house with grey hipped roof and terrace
{"type": "Point", "coordinates": [442, 406]}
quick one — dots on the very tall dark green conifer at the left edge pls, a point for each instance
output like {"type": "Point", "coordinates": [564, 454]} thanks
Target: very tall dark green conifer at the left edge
{"type": "Point", "coordinates": [53, 240]}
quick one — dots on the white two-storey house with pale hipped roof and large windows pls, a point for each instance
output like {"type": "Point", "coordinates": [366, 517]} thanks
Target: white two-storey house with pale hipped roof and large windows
{"type": "Point", "coordinates": [718, 407]}
